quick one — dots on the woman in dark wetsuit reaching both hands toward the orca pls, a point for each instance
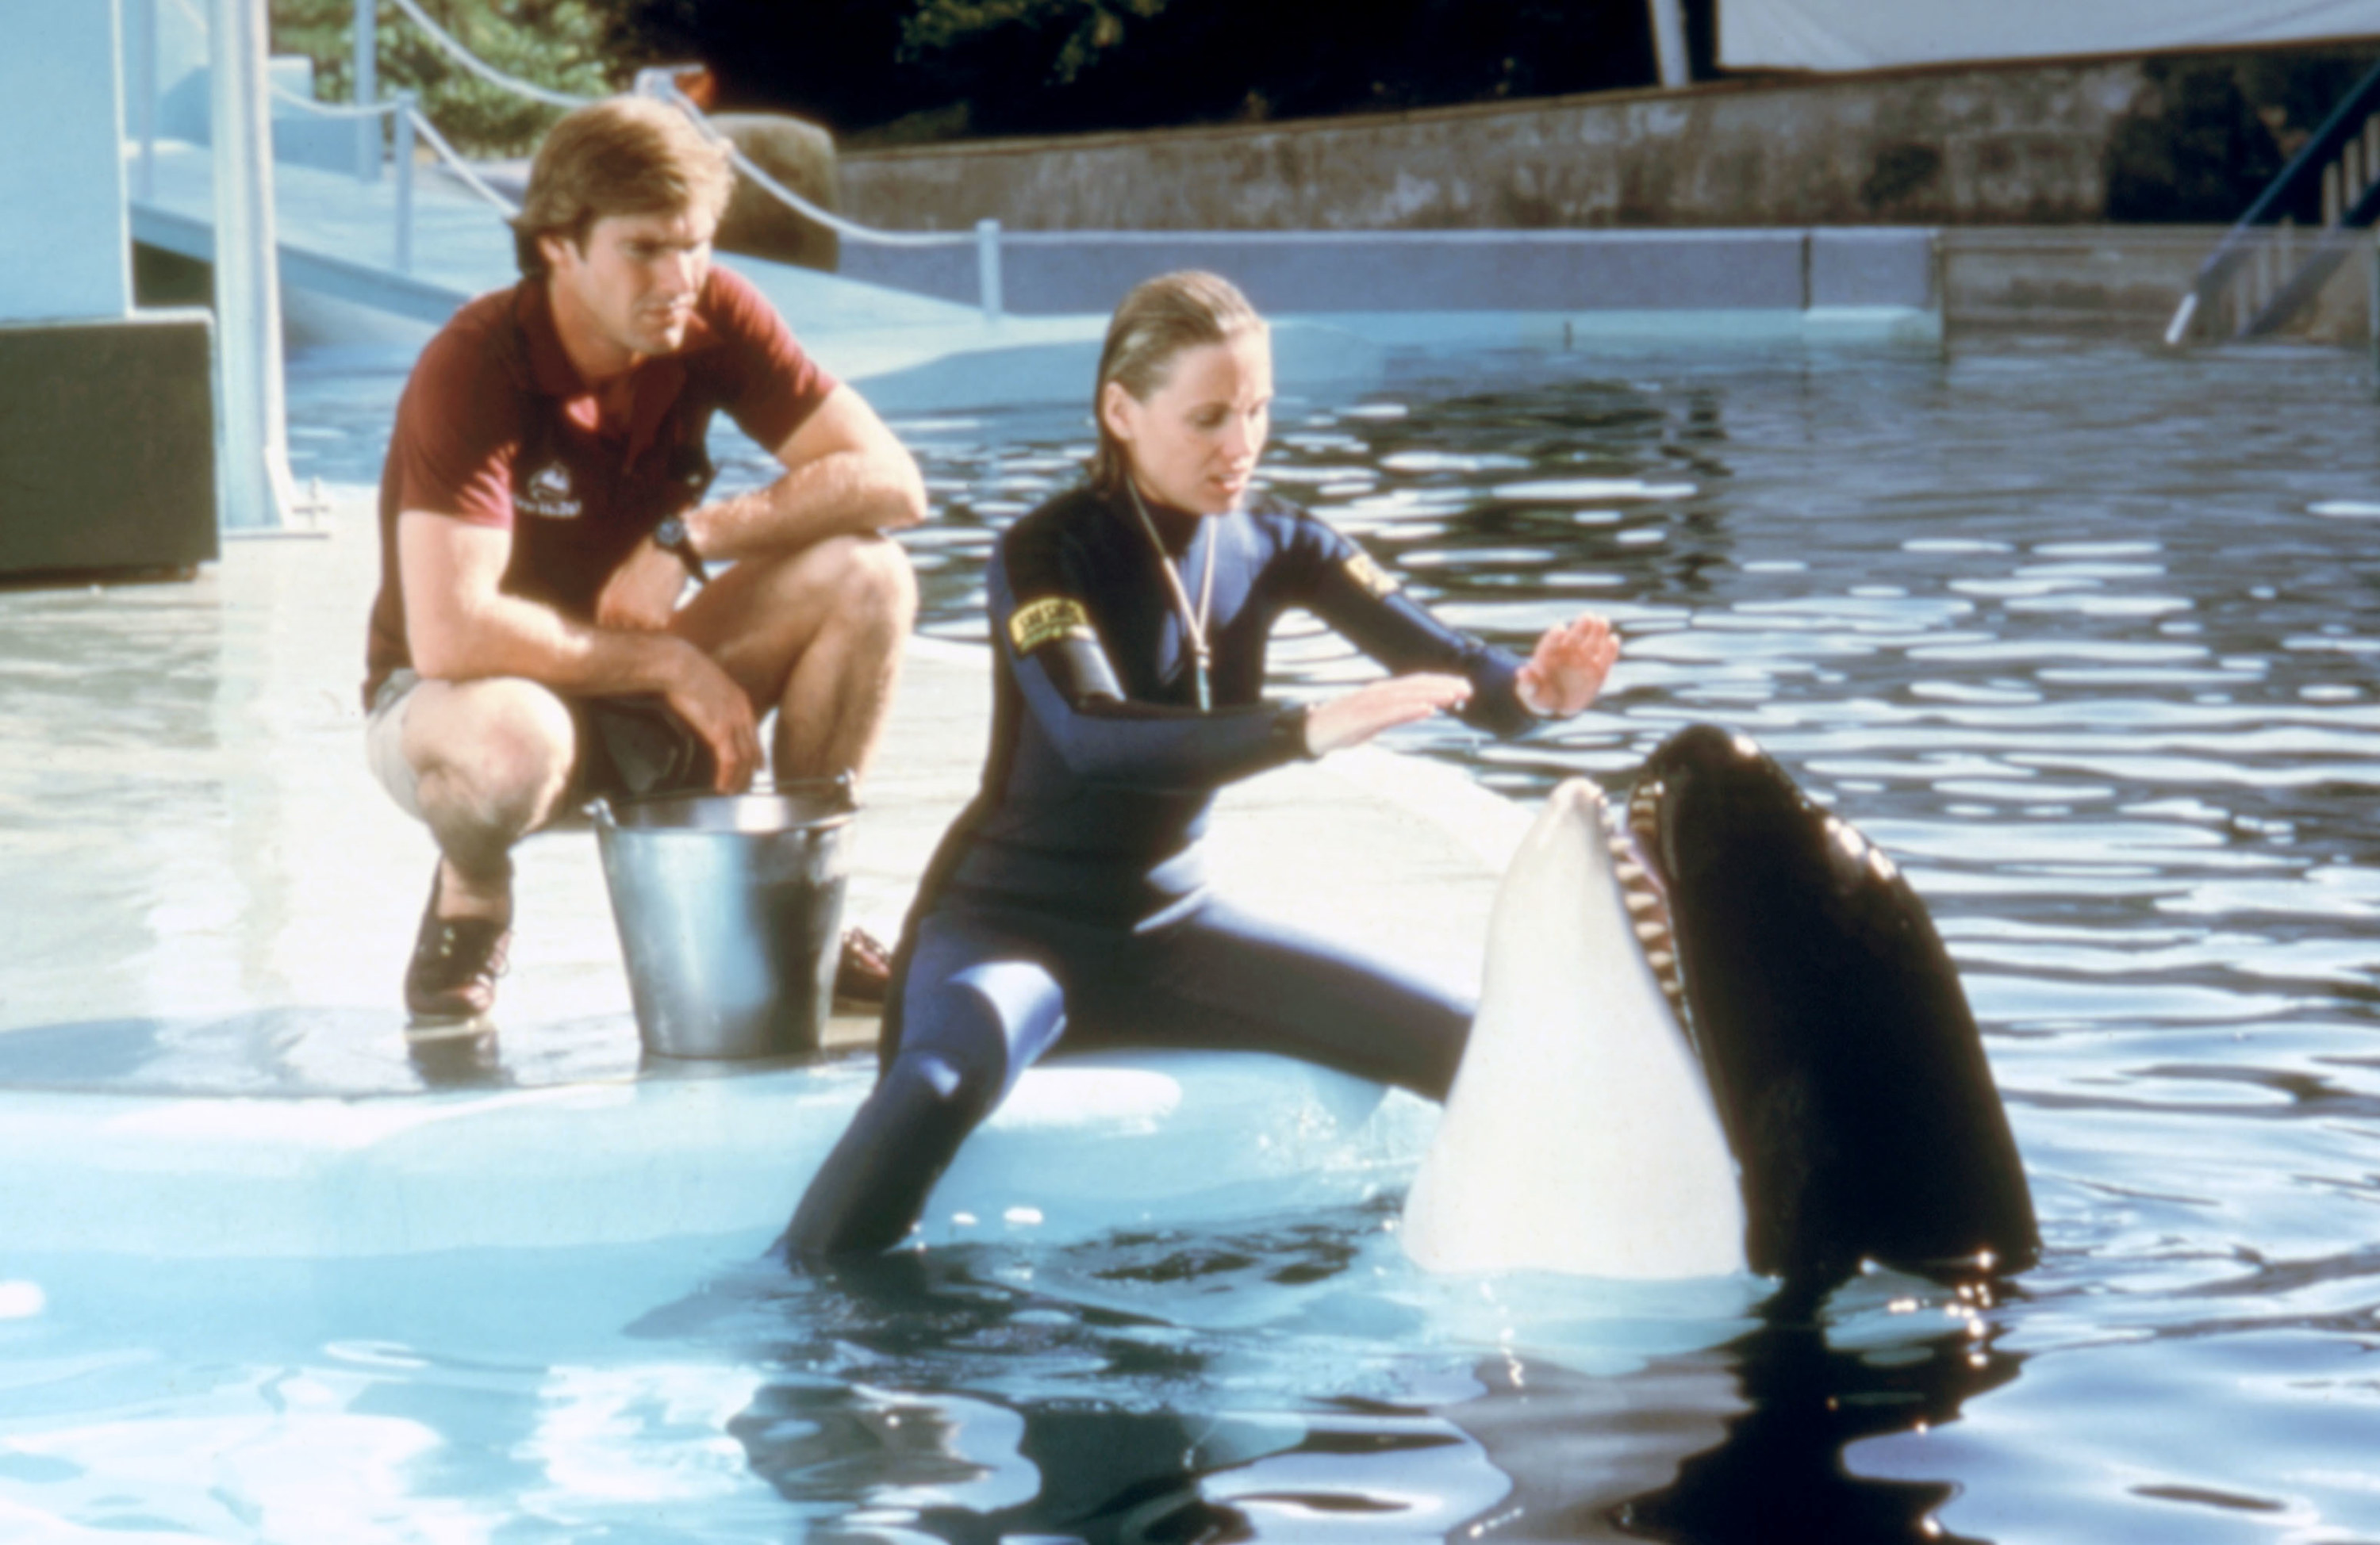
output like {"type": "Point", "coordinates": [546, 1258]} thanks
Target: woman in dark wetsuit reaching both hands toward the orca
{"type": "Point", "coordinates": [1070, 899]}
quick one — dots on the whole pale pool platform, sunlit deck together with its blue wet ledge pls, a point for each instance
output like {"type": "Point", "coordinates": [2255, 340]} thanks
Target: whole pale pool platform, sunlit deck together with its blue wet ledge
{"type": "Point", "coordinates": [201, 1034]}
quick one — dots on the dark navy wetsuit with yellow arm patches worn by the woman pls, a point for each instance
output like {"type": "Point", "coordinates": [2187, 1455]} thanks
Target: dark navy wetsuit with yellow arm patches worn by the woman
{"type": "Point", "coordinates": [1070, 896]}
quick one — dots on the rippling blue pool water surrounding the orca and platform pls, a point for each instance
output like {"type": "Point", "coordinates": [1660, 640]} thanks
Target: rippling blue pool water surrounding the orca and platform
{"type": "Point", "coordinates": [2086, 637]}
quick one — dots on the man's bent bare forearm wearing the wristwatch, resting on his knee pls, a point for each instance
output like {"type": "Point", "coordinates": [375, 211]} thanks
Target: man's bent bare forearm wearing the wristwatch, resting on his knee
{"type": "Point", "coordinates": [844, 475]}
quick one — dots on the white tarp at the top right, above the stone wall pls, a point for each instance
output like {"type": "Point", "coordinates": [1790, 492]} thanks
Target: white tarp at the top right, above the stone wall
{"type": "Point", "coordinates": [1879, 35]}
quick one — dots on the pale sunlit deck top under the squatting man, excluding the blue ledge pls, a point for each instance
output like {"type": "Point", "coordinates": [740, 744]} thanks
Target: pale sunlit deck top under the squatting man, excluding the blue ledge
{"type": "Point", "coordinates": [194, 846]}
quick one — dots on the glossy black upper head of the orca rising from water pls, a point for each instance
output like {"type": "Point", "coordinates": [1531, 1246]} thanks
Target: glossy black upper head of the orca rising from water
{"type": "Point", "coordinates": [1829, 1018]}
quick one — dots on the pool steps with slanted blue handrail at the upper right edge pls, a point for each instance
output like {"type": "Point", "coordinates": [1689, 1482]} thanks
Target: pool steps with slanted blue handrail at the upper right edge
{"type": "Point", "coordinates": [2267, 270]}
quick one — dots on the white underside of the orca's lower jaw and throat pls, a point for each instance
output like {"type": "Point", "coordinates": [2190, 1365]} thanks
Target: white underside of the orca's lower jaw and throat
{"type": "Point", "coordinates": [1582, 1132]}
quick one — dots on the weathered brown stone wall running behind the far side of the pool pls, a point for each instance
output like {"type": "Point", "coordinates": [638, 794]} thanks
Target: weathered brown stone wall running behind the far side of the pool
{"type": "Point", "coordinates": [1946, 146]}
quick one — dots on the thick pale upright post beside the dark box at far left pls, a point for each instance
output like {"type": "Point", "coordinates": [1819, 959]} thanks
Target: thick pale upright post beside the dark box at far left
{"type": "Point", "coordinates": [253, 446]}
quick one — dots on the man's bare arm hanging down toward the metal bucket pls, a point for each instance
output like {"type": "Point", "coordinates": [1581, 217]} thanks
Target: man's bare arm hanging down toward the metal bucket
{"type": "Point", "coordinates": [463, 627]}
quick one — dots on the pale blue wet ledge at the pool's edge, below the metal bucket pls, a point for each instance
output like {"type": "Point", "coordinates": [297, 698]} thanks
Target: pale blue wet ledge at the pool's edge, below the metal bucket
{"type": "Point", "coordinates": [634, 1161]}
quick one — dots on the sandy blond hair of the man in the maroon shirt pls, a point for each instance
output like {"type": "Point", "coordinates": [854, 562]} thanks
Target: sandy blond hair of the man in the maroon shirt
{"type": "Point", "coordinates": [622, 156]}
